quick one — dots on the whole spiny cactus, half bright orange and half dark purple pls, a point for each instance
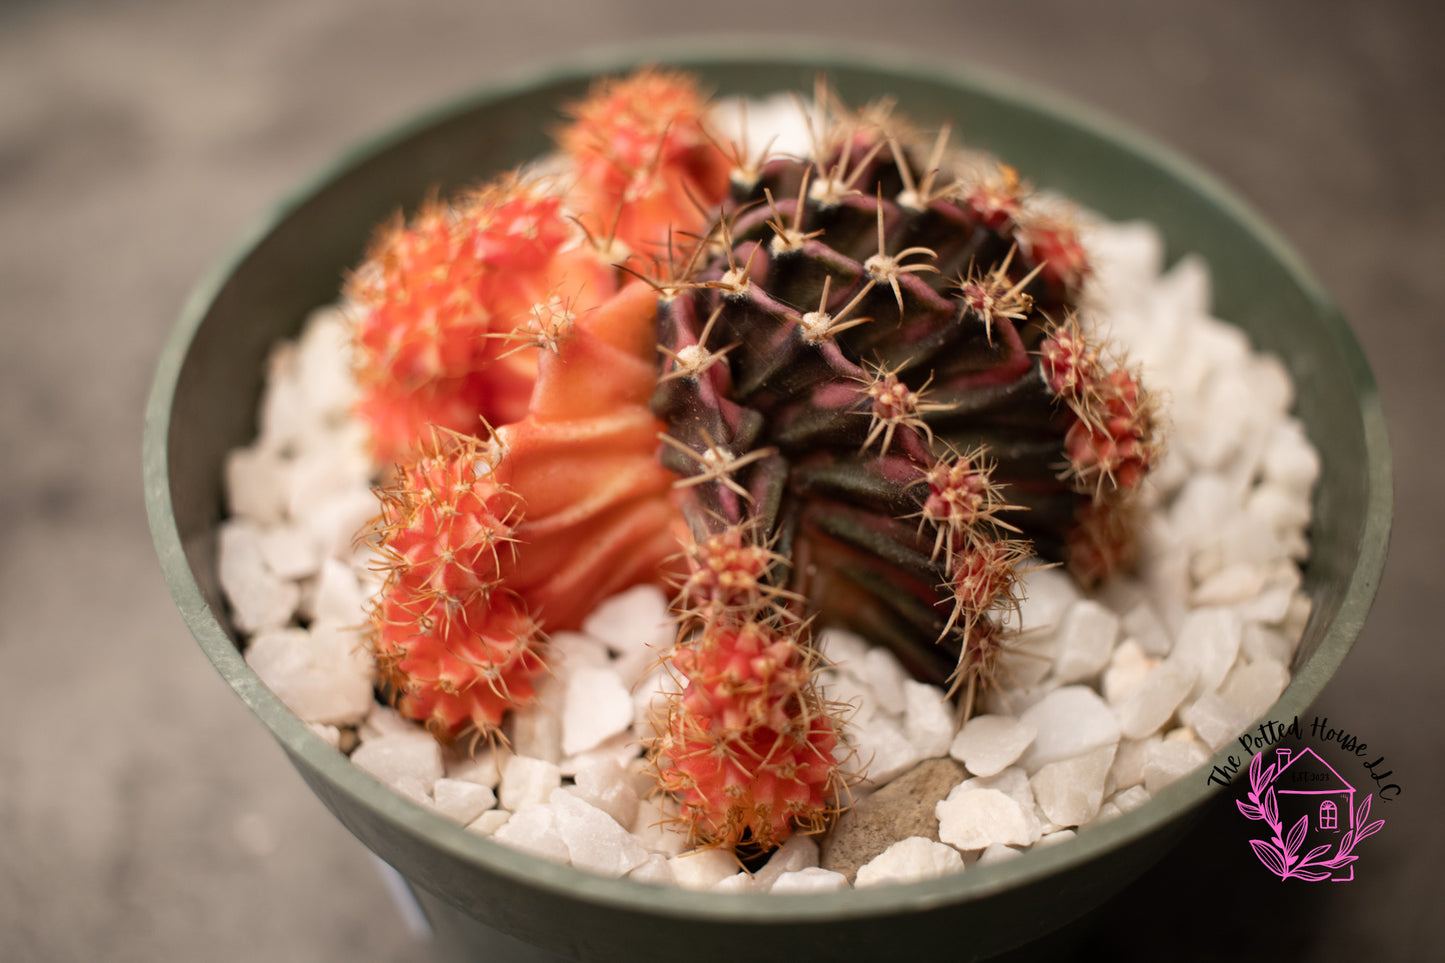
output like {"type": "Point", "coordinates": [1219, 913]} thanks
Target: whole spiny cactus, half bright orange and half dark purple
{"type": "Point", "coordinates": [849, 390]}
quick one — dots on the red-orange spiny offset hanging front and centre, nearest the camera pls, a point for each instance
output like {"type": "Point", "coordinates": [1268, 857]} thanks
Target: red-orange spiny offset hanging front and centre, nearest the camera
{"type": "Point", "coordinates": [749, 744]}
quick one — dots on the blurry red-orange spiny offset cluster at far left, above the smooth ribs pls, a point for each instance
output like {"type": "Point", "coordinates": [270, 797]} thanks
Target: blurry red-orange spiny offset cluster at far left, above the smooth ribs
{"type": "Point", "coordinates": [450, 303]}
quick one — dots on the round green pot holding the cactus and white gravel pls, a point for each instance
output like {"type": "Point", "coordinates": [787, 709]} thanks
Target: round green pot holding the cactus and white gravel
{"type": "Point", "coordinates": [210, 378]}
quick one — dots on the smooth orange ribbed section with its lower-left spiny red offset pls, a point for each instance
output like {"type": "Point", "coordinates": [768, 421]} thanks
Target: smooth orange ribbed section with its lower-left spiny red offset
{"type": "Point", "coordinates": [488, 543]}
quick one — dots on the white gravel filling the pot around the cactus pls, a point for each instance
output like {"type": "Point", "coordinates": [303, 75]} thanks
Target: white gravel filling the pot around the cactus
{"type": "Point", "coordinates": [1110, 698]}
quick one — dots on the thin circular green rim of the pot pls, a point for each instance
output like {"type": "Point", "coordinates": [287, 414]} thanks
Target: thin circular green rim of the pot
{"type": "Point", "coordinates": [1164, 809]}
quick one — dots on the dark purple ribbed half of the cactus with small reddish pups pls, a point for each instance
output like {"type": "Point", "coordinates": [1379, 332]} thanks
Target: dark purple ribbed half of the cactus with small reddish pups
{"type": "Point", "coordinates": [878, 377]}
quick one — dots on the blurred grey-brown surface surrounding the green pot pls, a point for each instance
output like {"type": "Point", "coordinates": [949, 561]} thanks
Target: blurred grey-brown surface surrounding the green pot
{"type": "Point", "coordinates": [147, 816]}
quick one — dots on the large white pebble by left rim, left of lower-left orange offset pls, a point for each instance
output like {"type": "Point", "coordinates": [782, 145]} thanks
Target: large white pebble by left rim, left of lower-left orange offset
{"type": "Point", "coordinates": [324, 675]}
